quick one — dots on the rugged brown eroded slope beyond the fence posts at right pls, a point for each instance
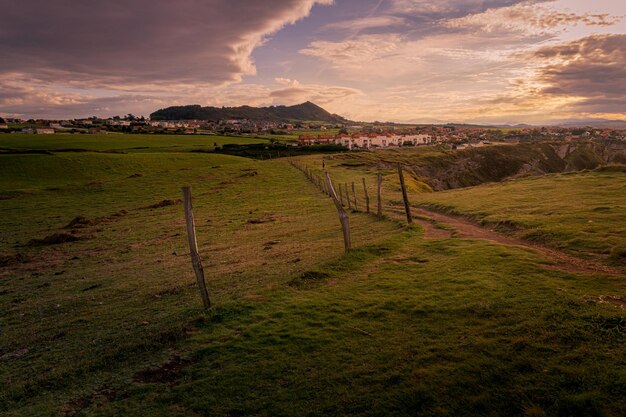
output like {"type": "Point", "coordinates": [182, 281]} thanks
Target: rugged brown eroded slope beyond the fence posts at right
{"type": "Point", "coordinates": [443, 169]}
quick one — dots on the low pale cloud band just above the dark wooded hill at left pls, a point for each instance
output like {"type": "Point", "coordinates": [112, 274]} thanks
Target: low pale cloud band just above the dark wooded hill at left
{"type": "Point", "coordinates": [20, 97]}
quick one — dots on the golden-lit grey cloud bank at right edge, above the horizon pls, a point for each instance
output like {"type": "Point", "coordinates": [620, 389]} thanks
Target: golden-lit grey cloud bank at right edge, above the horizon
{"type": "Point", "coordinates": [581, 78]}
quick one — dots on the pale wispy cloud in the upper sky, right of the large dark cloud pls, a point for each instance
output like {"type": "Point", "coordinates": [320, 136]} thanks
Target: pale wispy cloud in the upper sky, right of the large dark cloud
{"type": "Point", "coordinates": [395, 57]}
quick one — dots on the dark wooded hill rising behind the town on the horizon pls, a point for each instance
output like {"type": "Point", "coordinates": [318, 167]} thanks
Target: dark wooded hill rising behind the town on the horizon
{"type": "Point", "coordinates": [301, 112]}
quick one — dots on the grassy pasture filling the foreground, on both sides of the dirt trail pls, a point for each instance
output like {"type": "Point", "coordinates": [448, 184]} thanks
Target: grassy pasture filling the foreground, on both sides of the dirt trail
{"type": "Point", "coordinates": [110, 324]}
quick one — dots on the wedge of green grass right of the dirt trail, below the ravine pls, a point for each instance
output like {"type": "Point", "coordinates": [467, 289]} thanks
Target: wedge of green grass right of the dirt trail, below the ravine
{"type": "Point", "coordinates": [580, 213]}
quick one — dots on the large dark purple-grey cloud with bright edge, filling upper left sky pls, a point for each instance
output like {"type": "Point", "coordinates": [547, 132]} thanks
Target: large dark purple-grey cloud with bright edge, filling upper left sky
{"type": "Point", "coordinates": [115, 42]}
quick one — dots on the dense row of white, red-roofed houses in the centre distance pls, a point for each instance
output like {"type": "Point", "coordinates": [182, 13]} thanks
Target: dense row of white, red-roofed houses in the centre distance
{"type": "Point", "coordinates": [366, 140]}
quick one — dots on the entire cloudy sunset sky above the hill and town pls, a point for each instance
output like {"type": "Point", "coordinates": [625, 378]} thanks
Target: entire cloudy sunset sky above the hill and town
{"type": "Point", "coordinates": [413, 61]}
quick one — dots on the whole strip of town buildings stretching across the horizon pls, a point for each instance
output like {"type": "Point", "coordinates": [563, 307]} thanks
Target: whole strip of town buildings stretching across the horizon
{"type": "Point", "coordinates": [357, 136]}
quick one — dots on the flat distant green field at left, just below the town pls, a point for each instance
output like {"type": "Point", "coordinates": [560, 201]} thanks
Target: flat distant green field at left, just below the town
{"type": "Point", "coordinates": [120, 142]}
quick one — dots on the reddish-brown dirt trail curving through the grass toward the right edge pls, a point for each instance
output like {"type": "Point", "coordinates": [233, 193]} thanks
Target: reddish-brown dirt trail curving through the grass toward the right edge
{"type": "Point", "coordinates": [464, 228]}
